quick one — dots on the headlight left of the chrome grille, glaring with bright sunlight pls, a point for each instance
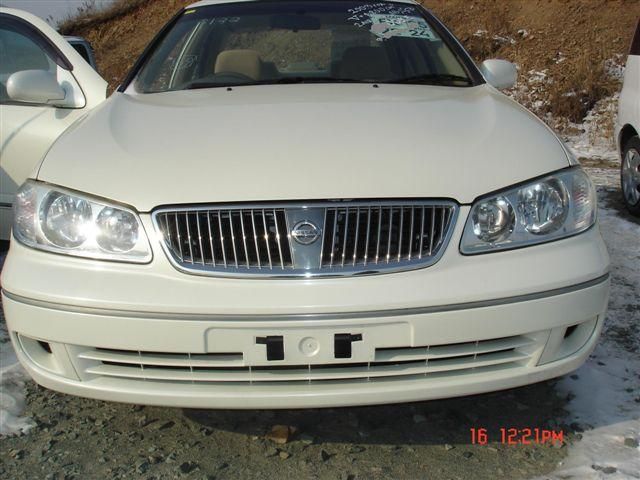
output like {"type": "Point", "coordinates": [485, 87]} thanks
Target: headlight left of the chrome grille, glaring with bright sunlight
{"type": "Point", "coordinates": [56, 220]}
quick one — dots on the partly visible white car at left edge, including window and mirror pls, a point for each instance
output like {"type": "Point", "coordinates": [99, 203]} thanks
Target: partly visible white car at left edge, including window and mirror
{"type": "Point", "coordinates": [30, 53]}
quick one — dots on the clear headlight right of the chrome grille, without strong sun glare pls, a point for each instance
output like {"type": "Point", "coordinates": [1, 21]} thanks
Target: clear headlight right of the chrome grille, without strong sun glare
{"type": "Point", "coordinates": [550, 208]}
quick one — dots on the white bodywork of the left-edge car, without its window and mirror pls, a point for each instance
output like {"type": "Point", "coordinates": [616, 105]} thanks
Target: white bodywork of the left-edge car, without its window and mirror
{"type": "Point", "coordinates": [28, 131]}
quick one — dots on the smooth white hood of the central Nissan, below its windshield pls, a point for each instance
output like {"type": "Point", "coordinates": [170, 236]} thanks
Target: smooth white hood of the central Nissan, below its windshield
{"type": "Point", "coordinates": [302, 142]}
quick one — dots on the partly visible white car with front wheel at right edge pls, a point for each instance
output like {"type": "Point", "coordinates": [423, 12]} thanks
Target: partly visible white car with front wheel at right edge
{"type": "Point", "coordinates": [628, 126]}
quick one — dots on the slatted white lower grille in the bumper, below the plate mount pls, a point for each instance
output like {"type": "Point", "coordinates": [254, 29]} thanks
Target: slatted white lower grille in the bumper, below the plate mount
{"type": "Point", "coordinates": [389, 363]}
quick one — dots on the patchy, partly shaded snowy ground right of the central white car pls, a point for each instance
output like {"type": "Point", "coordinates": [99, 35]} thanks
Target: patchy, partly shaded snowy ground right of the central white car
{"type": "Point", "coordinates": [605, 392]}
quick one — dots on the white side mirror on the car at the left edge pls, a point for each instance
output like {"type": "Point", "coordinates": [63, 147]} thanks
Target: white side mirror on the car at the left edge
{"type": "Point", "coordinates": [35, 86]}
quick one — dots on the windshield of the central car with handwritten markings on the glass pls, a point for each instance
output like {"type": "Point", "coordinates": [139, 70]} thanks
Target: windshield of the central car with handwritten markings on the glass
{"type": "Point", "coordinates": [249, 43]}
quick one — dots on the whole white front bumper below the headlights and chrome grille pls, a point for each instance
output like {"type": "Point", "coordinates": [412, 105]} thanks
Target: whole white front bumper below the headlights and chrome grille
{"type": "Point", "coordinates": [148, 334]}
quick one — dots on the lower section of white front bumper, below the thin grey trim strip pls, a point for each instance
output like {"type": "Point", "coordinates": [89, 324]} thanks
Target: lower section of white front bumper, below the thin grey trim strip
{"type": "Point", "coordinates": [400, 359]}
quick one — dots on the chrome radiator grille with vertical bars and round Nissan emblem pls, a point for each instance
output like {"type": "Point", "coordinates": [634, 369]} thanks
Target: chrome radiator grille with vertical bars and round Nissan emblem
{"type": "Point", "coordinates": [353, 237]}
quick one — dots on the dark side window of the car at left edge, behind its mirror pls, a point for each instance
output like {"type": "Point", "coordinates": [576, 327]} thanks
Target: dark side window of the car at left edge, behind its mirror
{"type": "Point", "coordinates": [19, 52]}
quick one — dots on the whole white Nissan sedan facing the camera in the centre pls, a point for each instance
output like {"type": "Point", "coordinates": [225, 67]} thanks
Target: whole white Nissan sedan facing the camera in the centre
{"type": "Point", "coordinates": [304, 204]}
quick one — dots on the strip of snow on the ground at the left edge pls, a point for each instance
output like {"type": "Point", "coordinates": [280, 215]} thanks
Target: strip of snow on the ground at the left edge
{"type": "Point", "coordinates": [12, 378]}
